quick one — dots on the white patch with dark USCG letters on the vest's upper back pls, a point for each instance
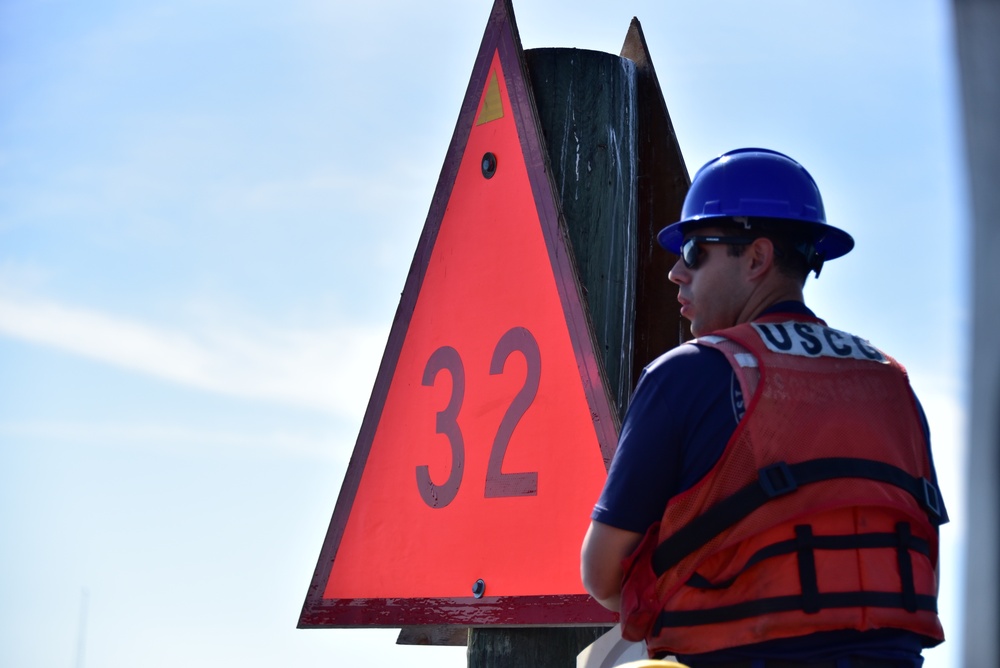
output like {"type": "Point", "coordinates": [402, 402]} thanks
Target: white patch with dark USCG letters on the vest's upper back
{"type": "Point", "coordinates": [814, 340]}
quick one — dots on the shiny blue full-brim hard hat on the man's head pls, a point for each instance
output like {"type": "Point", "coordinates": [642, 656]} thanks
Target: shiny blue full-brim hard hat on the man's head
{"type": "Point", "coordinates": [757, 183]}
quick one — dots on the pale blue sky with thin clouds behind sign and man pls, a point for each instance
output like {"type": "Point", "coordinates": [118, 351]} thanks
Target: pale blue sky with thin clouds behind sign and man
{"type": "Point", "coordinates": [207, 212]}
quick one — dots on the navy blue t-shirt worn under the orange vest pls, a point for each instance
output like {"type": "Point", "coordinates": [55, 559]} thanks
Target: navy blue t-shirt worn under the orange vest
{"type": "Point", "coordinates": [683, 411]}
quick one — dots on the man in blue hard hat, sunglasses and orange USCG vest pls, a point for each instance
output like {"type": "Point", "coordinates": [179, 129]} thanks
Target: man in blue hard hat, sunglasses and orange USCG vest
{"type": "Point", "coordinates": [772, 501]}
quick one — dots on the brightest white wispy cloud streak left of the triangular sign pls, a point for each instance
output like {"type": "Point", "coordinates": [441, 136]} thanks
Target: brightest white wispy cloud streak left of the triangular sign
{"type": "Point", "coordinates": [329, 369]}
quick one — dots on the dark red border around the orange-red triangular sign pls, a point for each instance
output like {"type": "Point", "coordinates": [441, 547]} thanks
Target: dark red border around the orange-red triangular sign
{"type": "Point", "coordinates": [501, 37]}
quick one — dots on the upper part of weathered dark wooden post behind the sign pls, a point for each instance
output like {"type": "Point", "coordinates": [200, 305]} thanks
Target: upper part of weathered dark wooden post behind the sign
{"type": "Point", "coordinates": [587, 108]}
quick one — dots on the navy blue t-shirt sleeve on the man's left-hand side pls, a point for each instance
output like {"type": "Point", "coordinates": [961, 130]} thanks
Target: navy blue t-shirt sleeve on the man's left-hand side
{"type": "Point", "coordinates": [680, 417]}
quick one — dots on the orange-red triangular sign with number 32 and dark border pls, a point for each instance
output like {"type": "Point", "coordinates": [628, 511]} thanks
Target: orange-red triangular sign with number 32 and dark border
{"type": "Point", "coordinates": [487, 436]}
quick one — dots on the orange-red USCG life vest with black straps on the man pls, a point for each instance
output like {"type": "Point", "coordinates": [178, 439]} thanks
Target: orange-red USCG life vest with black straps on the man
{"type": "Point", "coordinates": [820, 515]}
